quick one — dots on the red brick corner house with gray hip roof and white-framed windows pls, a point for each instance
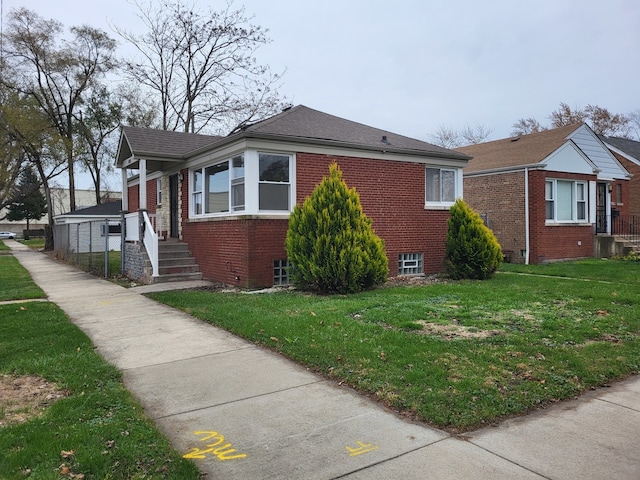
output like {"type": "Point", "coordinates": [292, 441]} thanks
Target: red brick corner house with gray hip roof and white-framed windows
{"type": "Point", "coordinates": [230, 197]}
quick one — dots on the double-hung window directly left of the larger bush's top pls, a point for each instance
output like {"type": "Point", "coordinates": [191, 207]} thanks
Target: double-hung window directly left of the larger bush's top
{"type": "Point", "coordinates": [274, 187]}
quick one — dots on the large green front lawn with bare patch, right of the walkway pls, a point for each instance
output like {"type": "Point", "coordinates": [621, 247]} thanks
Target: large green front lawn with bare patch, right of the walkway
{"type": "Point", "coordinates": [456, 355]}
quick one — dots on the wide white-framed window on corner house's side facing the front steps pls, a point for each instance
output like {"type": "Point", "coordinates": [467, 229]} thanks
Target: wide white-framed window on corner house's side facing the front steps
{"type": "Point", "coordinates": [219, 188]}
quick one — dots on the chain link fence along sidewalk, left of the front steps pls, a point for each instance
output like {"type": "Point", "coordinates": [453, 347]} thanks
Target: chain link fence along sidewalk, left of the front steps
{"type": "Point", "coordinates": [94, 246]}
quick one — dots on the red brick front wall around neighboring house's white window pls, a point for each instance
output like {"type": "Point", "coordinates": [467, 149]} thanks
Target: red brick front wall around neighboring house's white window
{"type": "Point", "coordinates": [555, 242]}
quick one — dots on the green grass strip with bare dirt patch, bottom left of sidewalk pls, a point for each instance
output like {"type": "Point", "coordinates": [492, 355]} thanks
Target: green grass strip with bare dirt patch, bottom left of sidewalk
{"type": "Point", "coordinates": [97, 431]}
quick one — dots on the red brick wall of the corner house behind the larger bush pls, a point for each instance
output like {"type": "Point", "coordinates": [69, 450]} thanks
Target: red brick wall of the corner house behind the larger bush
{"type": "Point", "coordinates": [242, 251]}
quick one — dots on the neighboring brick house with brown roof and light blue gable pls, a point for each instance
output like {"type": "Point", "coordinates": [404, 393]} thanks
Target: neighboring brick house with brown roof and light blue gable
{"type": "Point", "coordinates": [546, 195]}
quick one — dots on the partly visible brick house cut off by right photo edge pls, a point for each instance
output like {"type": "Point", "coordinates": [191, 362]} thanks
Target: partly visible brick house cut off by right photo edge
{"type": "Point", "coordinates": [628, 154]}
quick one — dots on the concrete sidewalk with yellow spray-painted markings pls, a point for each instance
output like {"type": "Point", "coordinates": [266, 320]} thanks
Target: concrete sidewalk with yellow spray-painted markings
{"type": "Point", "coordinates": [241, 412]}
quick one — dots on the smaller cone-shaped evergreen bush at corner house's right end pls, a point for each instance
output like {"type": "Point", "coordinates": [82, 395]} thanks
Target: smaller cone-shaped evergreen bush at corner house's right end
{"type": "Point", "coordinates": [472, 249]}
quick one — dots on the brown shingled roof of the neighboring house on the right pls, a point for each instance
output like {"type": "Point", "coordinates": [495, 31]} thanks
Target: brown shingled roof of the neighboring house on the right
{"type": "Point", "coordinates": [524, 150]}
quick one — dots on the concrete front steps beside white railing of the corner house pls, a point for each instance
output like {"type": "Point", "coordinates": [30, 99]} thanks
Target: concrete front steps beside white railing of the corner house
{"type": "Point", "coordinates": [175, 263]}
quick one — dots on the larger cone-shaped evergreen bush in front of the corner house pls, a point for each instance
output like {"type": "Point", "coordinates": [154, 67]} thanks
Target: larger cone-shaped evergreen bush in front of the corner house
{"type": "Point", "coordinates": [331, 243]}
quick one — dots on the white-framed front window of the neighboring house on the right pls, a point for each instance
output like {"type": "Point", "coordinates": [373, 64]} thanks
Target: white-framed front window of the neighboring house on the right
{"type": "Point", "coordinates": [566, 200]}
